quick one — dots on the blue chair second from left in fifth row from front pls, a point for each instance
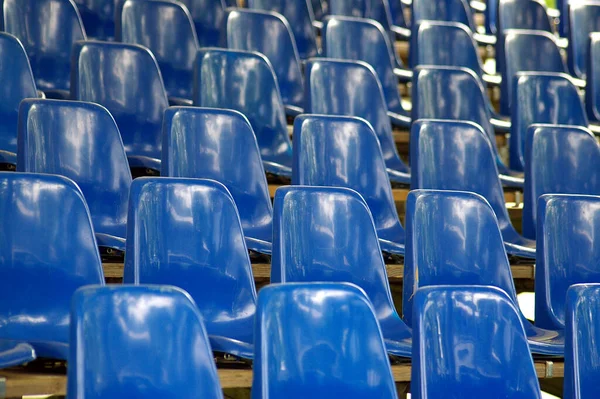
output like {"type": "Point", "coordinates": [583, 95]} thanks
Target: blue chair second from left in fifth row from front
{"type": "Point", "coordinates": [167, 30]}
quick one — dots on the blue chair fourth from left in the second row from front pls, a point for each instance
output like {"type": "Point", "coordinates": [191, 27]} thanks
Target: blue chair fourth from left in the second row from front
{"type": "Point", "coordinates": [453, 238]}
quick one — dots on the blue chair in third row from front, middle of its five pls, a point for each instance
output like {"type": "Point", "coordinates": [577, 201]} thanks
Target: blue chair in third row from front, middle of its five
{"type": "Point", "coordinates": [341, 151]}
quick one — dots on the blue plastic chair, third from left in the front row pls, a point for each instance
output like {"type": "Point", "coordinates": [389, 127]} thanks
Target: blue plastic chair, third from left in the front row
{"type": "Point", "coordinates": [460, 353]}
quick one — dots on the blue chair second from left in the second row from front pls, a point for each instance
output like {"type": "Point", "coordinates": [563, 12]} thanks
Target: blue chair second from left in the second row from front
{"type": "Point", "coordinates": [187, 233]}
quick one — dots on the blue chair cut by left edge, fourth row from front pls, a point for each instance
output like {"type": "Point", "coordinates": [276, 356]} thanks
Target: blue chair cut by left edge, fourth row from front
{"type": "Point", "coordinates": [17, 84]}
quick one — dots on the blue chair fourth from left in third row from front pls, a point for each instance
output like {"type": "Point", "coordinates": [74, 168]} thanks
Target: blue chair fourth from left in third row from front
{"type": "Point", "coordinates": [455, 155]}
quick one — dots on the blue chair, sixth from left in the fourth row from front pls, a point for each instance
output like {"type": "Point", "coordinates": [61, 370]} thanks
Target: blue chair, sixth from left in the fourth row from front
{"type": "Point", "coordinates": [542, 98]}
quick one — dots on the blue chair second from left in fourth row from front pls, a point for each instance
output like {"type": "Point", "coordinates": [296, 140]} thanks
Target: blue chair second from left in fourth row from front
{"type": "Point", "coordinates": [124, 78]}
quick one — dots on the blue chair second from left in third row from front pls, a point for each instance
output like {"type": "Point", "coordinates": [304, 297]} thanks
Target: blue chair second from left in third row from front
{"type": "Point", "coordinates": [220, 145]}
